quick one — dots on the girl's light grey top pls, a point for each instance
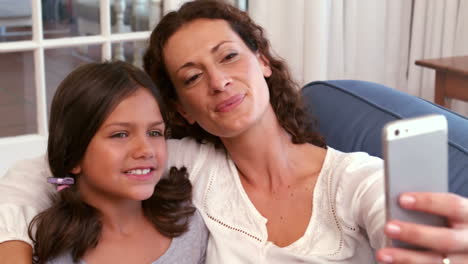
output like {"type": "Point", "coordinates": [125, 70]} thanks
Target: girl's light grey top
{"type": "Point", "coordinates": [189, 248]}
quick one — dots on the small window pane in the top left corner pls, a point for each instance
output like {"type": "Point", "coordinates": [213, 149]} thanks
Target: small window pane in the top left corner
{"type": "Point", "coordinates": [15, 20]}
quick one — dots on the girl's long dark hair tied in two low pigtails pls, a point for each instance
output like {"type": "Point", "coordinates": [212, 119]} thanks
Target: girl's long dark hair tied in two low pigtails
{"type": "Point", "coordinates": [82, 102]}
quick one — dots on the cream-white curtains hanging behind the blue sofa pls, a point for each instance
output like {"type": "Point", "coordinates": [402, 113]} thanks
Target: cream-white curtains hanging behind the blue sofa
{"type": "Point", "coordinates": [372, 40]}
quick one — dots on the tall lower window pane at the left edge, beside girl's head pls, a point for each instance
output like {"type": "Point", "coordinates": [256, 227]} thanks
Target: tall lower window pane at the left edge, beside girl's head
{"type": "Point", "coordinates": [17, 94]}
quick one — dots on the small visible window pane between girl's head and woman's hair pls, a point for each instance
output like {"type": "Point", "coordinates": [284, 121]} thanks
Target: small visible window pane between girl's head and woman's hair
{"type": "Point", "coordinates": [131, 52]}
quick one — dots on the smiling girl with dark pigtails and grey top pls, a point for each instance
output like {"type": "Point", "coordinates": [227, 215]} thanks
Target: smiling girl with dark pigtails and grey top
{"type": "Point", "coordinates": [107, 153]}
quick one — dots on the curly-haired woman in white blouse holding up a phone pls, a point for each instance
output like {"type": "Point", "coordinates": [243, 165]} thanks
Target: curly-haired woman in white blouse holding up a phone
{"type": "Point", "coordinates": [267, 188]}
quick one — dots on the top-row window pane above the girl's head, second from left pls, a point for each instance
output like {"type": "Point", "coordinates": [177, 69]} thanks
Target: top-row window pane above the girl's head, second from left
{"type": "Point", "coordinates": [70, 18]}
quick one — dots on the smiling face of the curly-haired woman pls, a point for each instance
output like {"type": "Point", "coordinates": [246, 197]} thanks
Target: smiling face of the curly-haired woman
{"type": "Point", "coordinates": [219, 81]}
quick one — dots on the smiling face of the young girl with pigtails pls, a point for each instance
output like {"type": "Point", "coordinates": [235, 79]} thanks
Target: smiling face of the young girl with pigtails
{"type": "Point", "coordinates": [127, 155]}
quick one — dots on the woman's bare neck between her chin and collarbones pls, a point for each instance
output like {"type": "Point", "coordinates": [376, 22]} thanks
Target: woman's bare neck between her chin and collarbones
{"type": "Point", "coordinates": [267, 159]}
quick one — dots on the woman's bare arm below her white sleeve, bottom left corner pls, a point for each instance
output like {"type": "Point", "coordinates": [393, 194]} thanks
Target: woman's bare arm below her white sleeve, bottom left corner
{"type": "Point", "coordinates": [15, 252]}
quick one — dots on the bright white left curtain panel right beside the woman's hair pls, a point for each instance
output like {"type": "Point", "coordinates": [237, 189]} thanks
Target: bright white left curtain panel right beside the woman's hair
{"type": "Point", "coordinates": [297, 30]}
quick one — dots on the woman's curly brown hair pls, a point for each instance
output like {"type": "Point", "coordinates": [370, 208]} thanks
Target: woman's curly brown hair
{"type": "Point", "coordinates": [284, 96]}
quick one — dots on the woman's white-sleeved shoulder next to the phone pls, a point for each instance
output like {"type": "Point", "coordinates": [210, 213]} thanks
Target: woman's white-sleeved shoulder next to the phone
{"type": "Point", "coordinates": [355, 184]}
